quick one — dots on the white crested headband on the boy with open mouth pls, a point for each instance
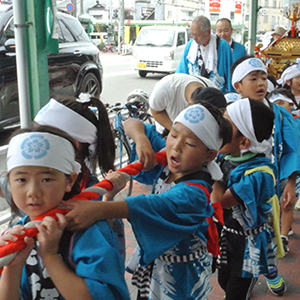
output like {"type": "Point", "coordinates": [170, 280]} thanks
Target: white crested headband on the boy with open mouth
{"type": "Point", "coordinates": [200, 121]}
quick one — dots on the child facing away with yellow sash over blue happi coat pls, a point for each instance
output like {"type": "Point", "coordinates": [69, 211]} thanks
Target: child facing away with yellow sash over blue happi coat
{"type": "Point", "coordinates": [248, 244]}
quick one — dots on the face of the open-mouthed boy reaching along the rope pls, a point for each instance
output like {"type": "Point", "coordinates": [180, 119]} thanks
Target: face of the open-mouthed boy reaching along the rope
{"type": "Point", "coordinates": [186, 153]}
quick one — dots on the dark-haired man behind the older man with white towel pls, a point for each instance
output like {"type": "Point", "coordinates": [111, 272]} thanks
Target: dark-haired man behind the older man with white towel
{"type": "Point", "coordinates": [224, 31]}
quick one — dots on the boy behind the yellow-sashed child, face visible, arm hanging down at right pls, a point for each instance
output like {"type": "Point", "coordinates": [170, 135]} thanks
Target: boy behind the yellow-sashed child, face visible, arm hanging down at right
{"type": "Point", "coordinates": [249, 77]}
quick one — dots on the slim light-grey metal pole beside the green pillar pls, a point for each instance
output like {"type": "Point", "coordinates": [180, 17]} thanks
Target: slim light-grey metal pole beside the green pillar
{"type": "Point", "coordinates": [22, 61]}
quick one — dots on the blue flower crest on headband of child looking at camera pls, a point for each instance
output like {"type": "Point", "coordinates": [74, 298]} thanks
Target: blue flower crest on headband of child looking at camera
{"type": "Point", "coordinates": [35, 146]}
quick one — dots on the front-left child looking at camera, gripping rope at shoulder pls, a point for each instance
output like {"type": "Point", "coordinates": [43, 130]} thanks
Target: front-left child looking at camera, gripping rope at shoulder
{"type": "Point", "coordinates": [42, 171]}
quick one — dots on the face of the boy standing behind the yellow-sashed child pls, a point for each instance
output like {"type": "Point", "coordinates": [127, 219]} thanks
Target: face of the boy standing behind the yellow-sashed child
{"type": "Point", "coordinates": [253, 86]}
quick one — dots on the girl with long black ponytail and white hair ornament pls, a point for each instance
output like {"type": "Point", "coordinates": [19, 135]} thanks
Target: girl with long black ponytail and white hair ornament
{"type": "Point", "coordinates": [96, 142]}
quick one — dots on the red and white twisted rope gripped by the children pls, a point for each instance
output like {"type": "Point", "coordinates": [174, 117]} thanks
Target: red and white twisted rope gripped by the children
{"type": "Point", "coordinates": [9, 251]}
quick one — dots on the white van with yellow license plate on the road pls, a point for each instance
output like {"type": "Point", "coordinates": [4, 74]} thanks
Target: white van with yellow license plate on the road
{"type": "Point", "coordinates": [158, 49]}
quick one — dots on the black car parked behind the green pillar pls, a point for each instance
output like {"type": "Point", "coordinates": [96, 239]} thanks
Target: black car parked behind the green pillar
{"type": "Point", "coordinates": [75, 69]}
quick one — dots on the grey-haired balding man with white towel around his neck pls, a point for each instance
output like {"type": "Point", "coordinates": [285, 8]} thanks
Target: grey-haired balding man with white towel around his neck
{"type": "Point", "coordinates": [207, 55]}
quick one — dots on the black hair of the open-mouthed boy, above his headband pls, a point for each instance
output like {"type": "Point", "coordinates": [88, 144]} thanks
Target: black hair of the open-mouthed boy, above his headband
{"type": "Point", "coordinates": [224, 124]}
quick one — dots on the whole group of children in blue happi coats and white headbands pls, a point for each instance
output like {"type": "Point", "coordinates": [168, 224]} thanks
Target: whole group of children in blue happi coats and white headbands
{"type": "Point", "coordinates": [245, 160]}
